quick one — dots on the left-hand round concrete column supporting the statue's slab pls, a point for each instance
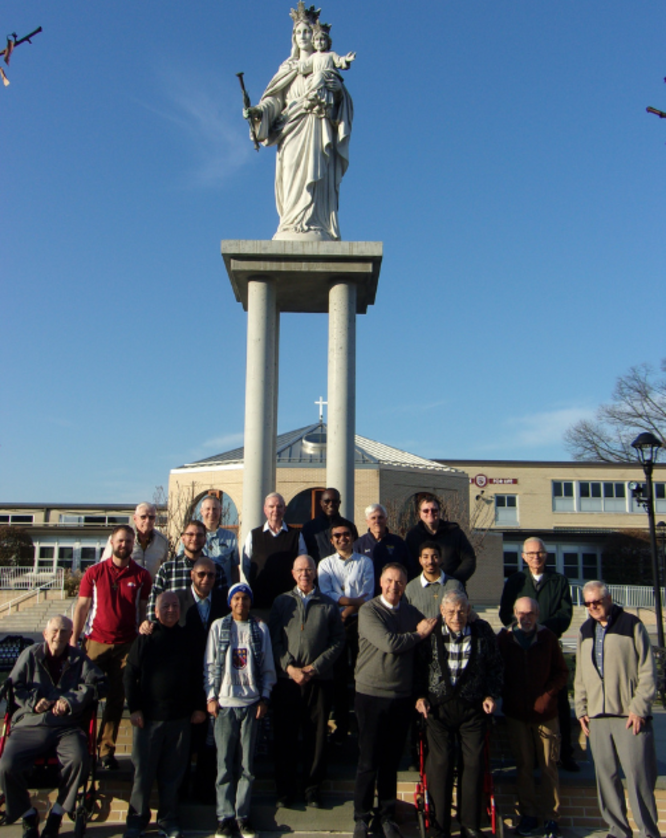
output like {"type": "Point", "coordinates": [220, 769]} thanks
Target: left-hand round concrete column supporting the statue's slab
{"type": "Point", "coordinates": [260, 399]}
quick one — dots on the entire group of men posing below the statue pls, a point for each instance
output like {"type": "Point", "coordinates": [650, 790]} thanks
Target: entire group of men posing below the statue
{"type": "Point", "coordinates": [203, 644]}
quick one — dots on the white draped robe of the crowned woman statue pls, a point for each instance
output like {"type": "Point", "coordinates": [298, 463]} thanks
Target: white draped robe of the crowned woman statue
{"type": "Point", "coordinates": [313, 152]}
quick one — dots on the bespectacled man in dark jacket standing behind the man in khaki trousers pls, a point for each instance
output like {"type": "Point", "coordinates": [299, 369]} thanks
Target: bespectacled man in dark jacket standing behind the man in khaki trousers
{"type": "Point", "coordinates": [552, 593]}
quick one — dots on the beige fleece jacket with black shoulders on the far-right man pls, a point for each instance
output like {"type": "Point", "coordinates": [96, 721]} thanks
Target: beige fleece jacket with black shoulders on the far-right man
{"type": "Point", "coordinates": [629, 682]}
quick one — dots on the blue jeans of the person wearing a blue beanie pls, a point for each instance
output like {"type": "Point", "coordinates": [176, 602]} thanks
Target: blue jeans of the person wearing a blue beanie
{"type": "Point", "coordinates": [236, 730]}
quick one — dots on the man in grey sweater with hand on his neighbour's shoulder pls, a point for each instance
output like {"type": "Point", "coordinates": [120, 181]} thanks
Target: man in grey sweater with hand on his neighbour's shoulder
{"type": "Point", "coordinates": [389, 630]}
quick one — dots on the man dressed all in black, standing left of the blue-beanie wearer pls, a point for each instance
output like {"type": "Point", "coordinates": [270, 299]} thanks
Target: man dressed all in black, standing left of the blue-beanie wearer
{"type": "Point", "coordinates": [164, 689]}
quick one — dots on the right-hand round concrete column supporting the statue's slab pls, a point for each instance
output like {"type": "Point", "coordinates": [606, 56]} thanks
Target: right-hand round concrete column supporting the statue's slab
{"type": "Point", "coordinates": [341, 392]}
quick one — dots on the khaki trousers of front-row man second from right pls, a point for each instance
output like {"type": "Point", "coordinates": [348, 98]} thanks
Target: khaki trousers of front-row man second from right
{"type": "Point", "coordinates": [526, 738]}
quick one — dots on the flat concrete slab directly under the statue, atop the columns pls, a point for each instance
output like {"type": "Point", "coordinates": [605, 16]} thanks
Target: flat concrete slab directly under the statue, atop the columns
{"type": "Point", "coordinates": [303, 270]}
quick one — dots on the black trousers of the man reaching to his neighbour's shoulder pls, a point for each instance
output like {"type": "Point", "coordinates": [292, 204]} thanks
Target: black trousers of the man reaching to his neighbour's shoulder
{"type": "Point", "coordinates": [382, 730]}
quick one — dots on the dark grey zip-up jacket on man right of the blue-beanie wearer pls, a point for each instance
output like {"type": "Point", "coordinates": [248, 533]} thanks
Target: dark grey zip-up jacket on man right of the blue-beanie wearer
{"type": "Point", "coordinates": [305, 634]}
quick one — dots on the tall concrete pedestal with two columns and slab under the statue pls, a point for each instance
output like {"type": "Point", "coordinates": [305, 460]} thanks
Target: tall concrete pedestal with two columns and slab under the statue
{"type": "Point", "coordinates": [269, 277]}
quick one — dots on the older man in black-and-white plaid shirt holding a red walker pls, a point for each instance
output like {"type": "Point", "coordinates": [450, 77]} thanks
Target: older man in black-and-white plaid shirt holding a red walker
{"type": "Point", "coordinates": [459, 679]}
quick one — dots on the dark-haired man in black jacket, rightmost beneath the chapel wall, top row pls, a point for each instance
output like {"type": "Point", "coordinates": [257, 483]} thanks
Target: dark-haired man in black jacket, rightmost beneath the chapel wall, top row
{"type": "Point", "coordinates": [458, 557]}
